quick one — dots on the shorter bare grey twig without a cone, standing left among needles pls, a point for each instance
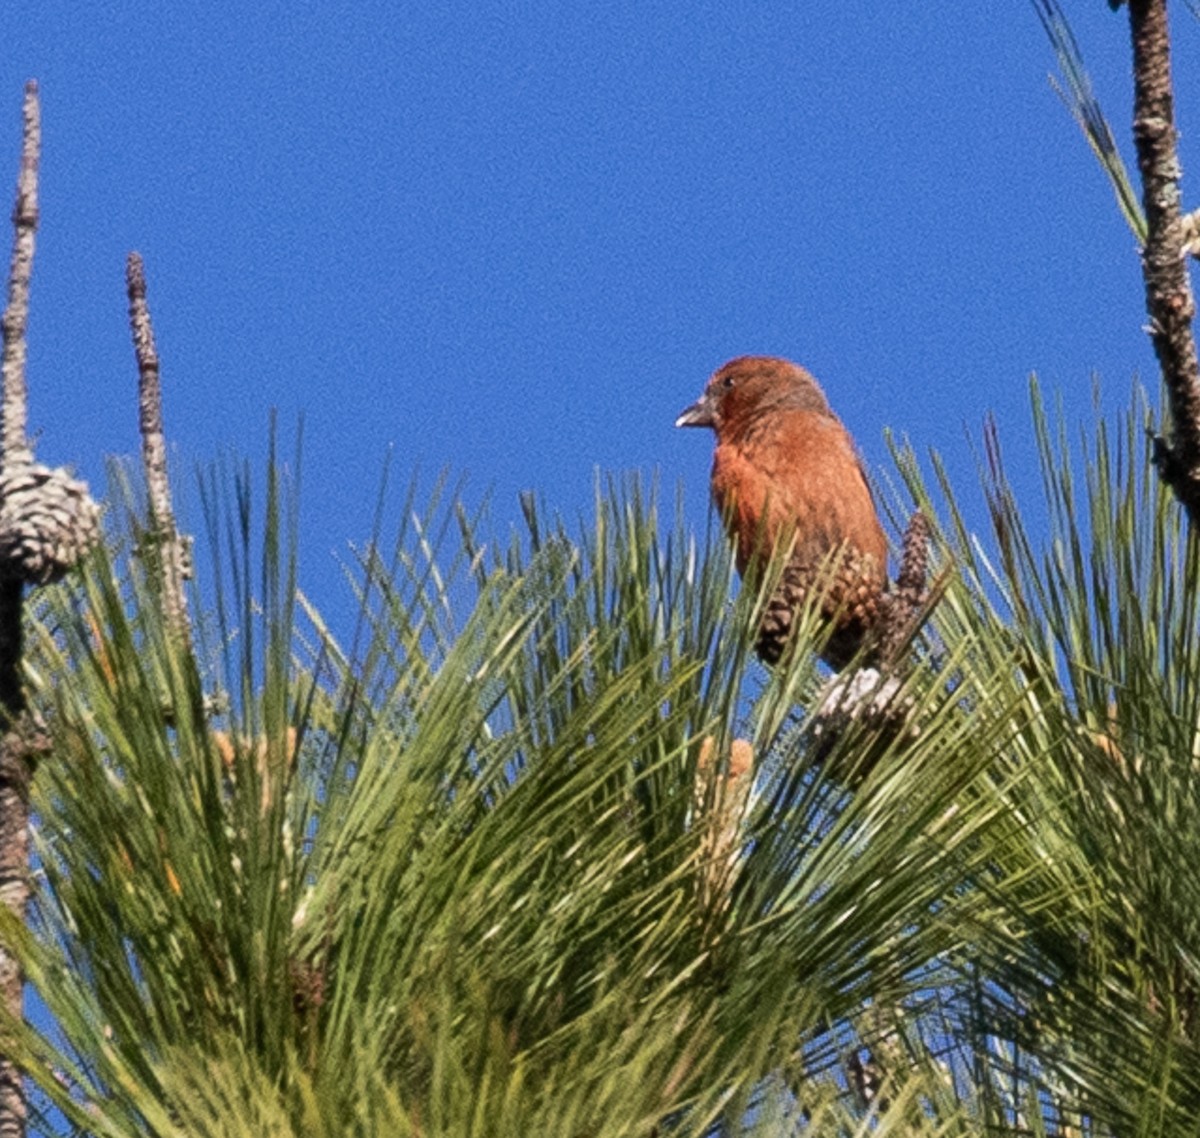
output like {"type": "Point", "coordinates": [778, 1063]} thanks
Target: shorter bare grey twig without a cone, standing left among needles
{"type": "Point", "coordinates": [171, 556]}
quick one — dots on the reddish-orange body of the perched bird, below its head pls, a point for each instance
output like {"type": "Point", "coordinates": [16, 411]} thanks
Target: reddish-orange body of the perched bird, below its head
{"type": "Point", "coordinates": [796, 471]}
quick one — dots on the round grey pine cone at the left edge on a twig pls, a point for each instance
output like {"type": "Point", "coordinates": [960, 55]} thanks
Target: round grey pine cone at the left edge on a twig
{"type": "Point", "coordinates": [47, 523]}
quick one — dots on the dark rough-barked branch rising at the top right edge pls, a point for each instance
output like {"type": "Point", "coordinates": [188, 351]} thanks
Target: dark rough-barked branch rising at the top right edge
{"type": "Point", "coordinates": [1169, 300]}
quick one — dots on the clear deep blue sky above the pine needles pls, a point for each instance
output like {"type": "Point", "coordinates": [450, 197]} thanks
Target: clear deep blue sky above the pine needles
{"type": "Point", "coordinates": [514, 239]}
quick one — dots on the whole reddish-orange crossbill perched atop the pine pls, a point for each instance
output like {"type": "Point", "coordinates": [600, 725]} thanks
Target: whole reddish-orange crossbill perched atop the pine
{"type": "Point", "coordinates": [787, 470]}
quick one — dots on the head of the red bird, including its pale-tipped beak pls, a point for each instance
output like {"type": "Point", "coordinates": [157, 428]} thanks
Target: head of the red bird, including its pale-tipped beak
{"type": "Point", "coordinates": [749, 387]}
